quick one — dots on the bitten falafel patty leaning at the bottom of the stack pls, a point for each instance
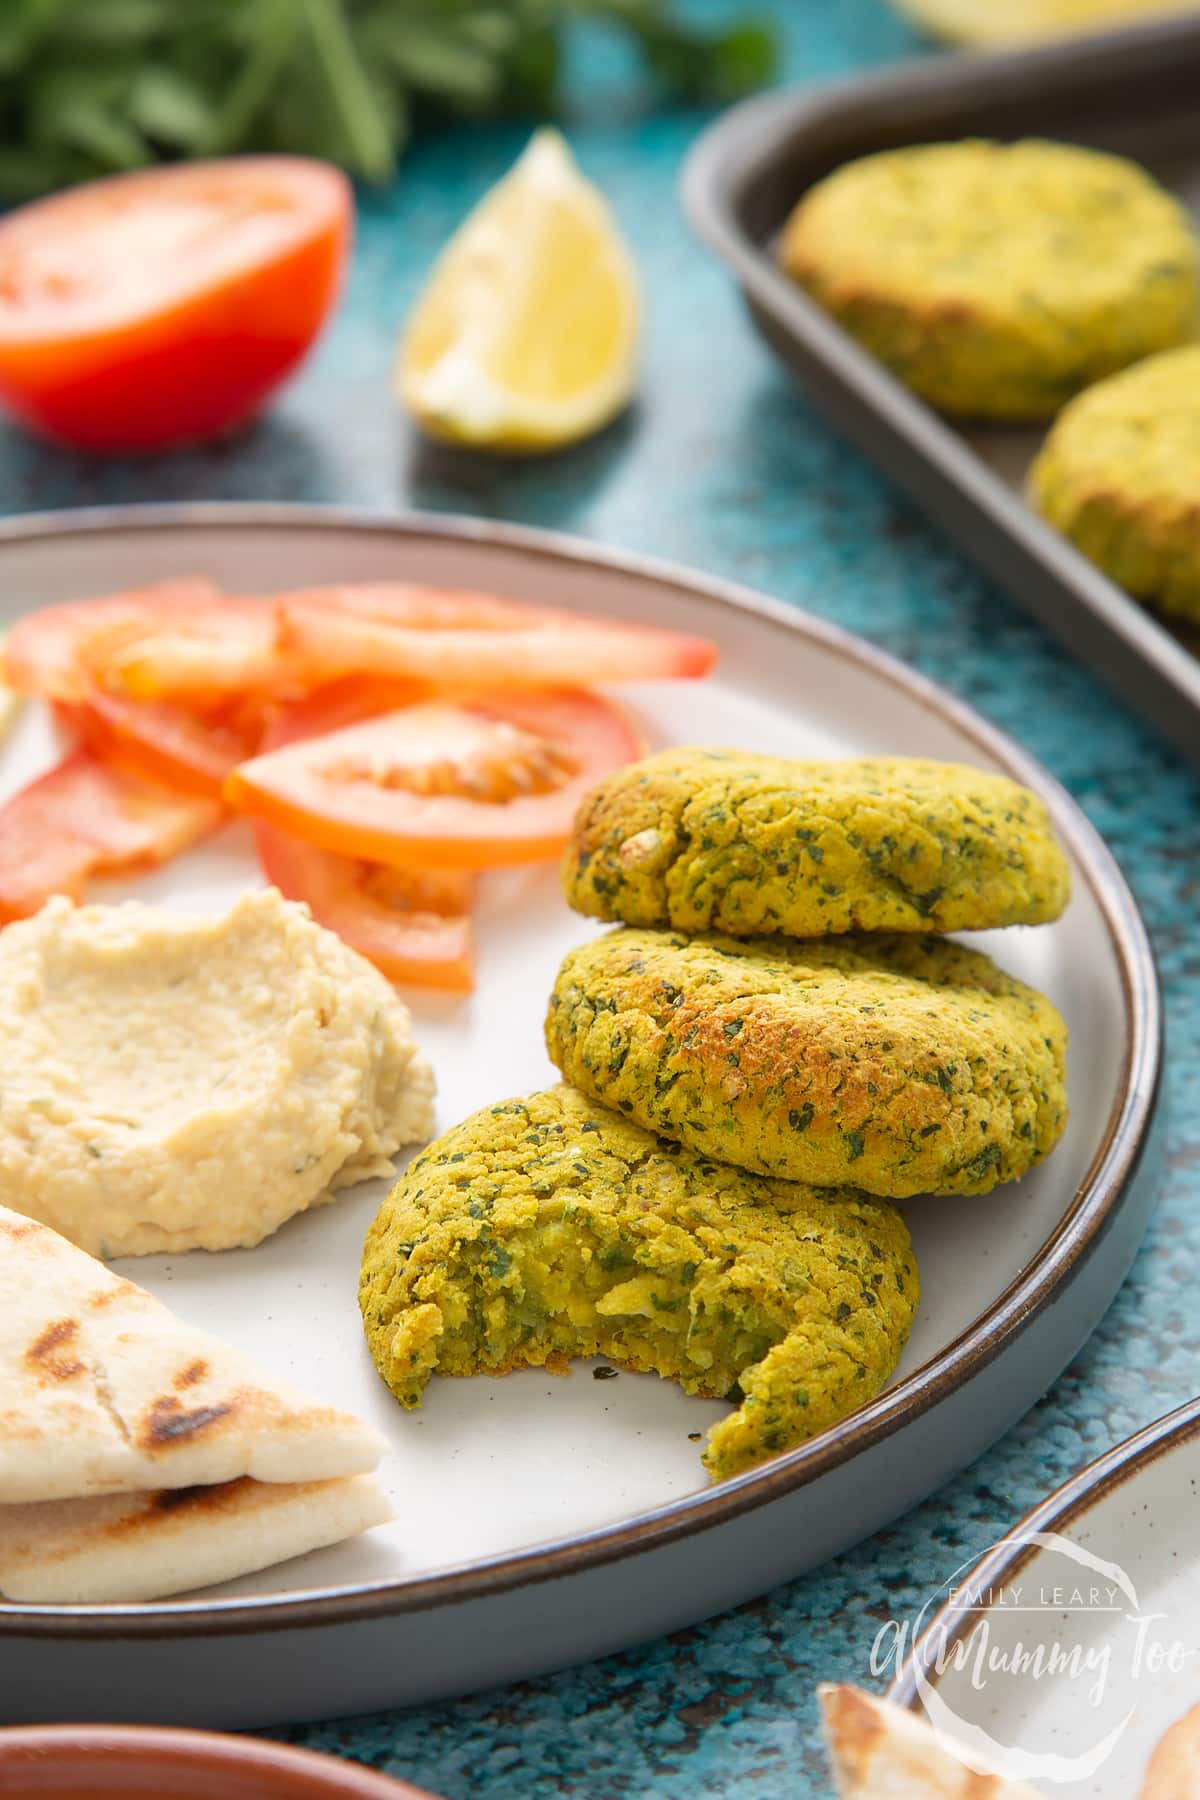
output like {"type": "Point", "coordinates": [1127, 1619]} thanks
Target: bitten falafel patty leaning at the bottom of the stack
{"type": "Point", "coordinates": [548, 1228]}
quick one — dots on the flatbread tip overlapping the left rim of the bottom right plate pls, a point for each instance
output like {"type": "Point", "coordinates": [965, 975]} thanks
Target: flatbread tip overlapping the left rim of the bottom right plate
{"type": "Point", "coordinates": [881, 1752]}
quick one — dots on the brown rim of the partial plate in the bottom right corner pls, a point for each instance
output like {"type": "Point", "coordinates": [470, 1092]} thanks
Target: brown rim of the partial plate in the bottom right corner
{"type": "Point", "coordinates": [1001, 1565]}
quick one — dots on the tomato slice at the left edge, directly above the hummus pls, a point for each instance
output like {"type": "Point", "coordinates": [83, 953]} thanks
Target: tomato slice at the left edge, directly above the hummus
{"type": "Point", "coordinates": [85, 818]}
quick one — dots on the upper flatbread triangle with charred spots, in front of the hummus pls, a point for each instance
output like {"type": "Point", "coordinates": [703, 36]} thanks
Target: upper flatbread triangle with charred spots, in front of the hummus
{"type": "Point", "coordinates": [103, 1390]}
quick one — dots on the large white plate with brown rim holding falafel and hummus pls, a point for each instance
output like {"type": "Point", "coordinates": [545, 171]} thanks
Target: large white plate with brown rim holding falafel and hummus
{"type": "Point", "coordinates": [548, 1522]}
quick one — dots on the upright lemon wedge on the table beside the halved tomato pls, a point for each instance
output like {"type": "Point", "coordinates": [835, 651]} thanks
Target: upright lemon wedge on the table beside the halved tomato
{"type": "Point", "coordinates": [526, 336]}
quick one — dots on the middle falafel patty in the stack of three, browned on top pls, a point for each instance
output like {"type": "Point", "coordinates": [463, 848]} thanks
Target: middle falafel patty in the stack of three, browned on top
{"type": "Point", "coordinates": [893, 1063]}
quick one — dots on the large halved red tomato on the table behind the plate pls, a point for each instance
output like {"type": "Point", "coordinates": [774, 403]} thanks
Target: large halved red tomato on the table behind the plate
{"type": "Point", "coordinates": [166, 307]}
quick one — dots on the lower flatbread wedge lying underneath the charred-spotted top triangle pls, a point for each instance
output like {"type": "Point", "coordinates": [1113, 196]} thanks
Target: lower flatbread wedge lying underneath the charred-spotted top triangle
{"type": "Point", "coordinates": [143, 1547]}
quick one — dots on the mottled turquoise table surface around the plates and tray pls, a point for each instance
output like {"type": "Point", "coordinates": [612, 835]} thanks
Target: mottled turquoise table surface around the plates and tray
{"type": "Point", "coordinates": [724, 465]}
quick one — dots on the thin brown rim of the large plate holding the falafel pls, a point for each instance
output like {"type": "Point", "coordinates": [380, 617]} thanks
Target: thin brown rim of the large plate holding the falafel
{"type": "Point", "coordinates": [1084, 1223]}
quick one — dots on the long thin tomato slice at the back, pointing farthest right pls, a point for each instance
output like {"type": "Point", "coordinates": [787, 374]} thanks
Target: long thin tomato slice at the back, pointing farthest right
{"type": "Point", "coordinates": [478, 642]}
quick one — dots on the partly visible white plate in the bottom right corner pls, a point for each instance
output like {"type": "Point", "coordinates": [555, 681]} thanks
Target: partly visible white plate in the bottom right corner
{"type": "Point", "coordinates": [1100, 1588]}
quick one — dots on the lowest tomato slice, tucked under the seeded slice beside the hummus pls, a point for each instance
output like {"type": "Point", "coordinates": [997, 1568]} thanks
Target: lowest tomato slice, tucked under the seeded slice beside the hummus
{"type": "Point", "coordinates": [413, 924]}
